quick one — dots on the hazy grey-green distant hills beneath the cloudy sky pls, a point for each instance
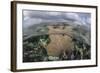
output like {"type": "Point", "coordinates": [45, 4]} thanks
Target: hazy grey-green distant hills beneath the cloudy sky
{"type": "Point", "coordinates": [78, 30]}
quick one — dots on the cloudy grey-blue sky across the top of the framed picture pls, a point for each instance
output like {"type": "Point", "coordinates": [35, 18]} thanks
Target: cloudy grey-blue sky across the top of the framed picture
{"type": "Point", "coordinates": [32, 17]}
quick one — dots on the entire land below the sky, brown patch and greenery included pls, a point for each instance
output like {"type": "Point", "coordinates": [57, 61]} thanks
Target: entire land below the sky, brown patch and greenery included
{"type": "Point", "coordinates": [56, 41]}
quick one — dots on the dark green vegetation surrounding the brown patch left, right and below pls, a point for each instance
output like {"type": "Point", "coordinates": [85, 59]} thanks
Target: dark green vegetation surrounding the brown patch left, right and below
{"type": "Point", "coordinates": [35, 51]}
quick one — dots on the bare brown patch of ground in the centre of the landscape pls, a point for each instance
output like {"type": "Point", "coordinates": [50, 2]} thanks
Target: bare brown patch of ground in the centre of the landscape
{"type": "Point", "coordinates": [59, 42]}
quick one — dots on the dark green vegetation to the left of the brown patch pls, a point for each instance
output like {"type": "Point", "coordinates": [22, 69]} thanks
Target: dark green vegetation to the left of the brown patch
{"type": "Point", "coordinates": [34, 49]}
